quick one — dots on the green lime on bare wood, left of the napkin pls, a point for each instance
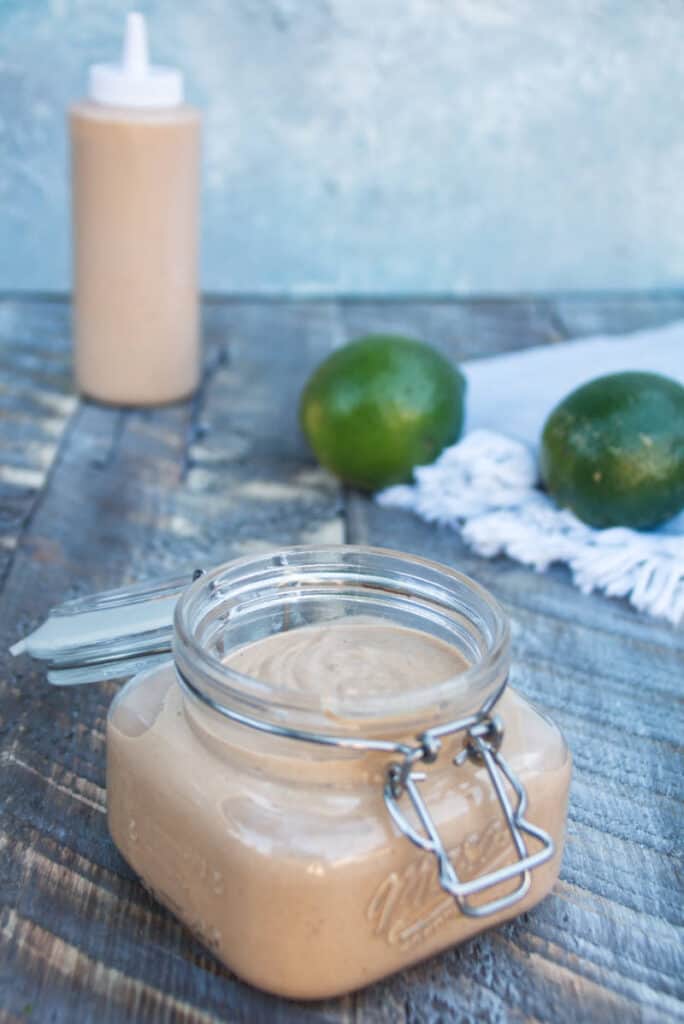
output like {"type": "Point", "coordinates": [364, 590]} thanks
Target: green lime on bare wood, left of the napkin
{"type": "Point", "coordinates": [379, 407]}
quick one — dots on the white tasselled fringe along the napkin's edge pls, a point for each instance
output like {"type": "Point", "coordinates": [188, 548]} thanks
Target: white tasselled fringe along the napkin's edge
{"type": "Point", "coordinates": [486, 487]}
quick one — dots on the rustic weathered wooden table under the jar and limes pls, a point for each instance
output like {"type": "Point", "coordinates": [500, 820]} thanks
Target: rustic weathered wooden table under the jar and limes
{"type": "Point", "coordinates": [93, 497]}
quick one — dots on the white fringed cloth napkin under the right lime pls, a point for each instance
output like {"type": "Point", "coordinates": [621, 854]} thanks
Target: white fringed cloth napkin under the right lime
{"type": "Point", "coordinates": [487, 485]}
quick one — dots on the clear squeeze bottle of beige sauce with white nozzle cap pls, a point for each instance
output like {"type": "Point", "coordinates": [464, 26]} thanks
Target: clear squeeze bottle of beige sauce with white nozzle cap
{"type": "Point", "coordinates": [136, 170]}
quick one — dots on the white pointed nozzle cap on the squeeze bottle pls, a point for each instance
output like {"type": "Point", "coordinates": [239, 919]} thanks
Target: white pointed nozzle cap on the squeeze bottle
{"type": "Point", "coordinates": [136, 82]}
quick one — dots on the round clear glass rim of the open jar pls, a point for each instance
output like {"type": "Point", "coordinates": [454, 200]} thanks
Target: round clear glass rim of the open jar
{"type": "Point", "coordinates": [228, 686]}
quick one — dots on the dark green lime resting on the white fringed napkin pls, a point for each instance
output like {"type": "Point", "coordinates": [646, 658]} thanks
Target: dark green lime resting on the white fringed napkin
{"type": "Point", "coordinates": [614, 451]}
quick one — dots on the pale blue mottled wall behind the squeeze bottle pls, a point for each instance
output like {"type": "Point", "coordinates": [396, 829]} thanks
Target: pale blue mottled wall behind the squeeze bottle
{"type": "Point", "coordinates": [376, 146]}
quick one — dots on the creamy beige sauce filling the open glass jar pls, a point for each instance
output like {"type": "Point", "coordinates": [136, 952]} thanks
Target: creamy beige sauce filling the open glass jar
{"type": "Point", "coordinates": [285, 862]}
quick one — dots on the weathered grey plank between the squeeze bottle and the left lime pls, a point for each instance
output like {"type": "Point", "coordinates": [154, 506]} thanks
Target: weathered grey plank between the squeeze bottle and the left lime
{"type": "Point", "coordinates": [249, 484]}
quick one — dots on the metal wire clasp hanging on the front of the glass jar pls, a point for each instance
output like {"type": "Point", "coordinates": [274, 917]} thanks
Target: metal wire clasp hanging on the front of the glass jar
{"type": "Point", "coordinates": [485, 736]}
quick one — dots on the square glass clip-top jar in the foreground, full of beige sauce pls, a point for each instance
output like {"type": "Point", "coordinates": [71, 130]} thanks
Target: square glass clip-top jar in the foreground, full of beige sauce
{"type": "Point", "coordinates": [315, 841]}
